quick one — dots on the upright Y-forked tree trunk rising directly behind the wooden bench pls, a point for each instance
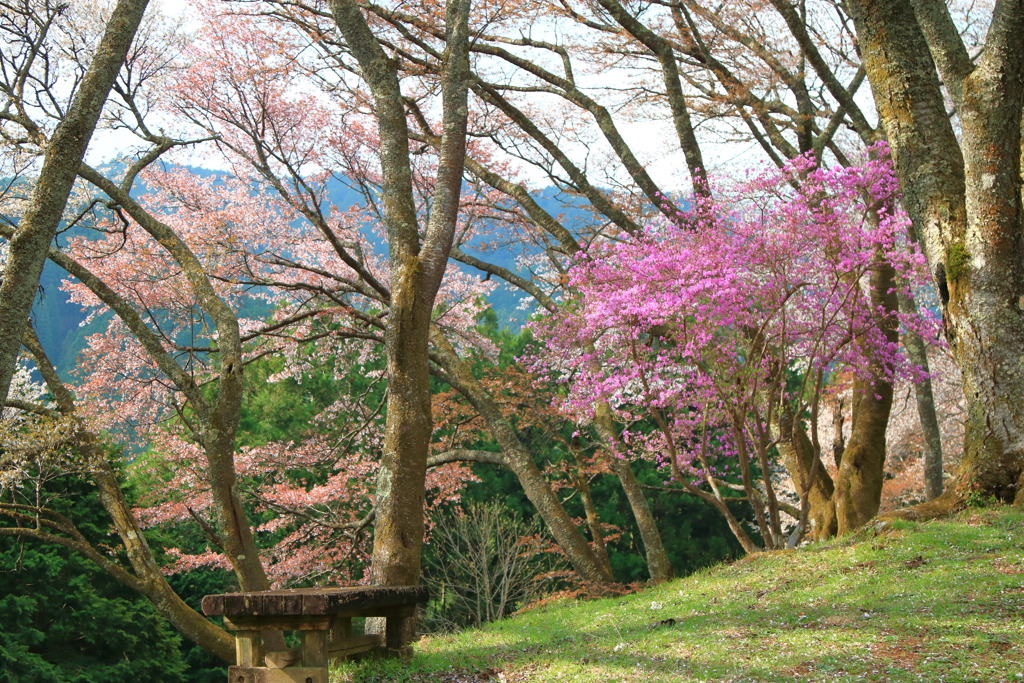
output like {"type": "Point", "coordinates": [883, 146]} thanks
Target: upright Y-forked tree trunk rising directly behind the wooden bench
{"type": "Point", "coordinates": [417, 269]}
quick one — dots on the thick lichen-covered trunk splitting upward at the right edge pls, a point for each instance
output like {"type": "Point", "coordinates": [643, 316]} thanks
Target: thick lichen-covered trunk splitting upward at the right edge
{"type": "Point", "coordinates": [965, 199]}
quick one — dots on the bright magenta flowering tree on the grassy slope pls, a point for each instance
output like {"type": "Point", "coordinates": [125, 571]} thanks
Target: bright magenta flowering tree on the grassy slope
{"type": "Point", "coordinates": [723, 327]}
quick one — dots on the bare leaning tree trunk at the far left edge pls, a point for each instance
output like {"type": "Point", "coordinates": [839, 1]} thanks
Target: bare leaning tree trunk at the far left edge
{"type": "Point", "coordinates": [64, 153]}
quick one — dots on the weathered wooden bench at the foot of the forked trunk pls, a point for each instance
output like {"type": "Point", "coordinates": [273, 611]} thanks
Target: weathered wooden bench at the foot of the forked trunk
{"type": "Point", "coordinates": [324, 619]}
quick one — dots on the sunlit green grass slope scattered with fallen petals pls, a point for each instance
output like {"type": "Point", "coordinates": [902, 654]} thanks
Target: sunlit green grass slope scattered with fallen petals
{"type": "Point", "coordinates": [936, 602]}
